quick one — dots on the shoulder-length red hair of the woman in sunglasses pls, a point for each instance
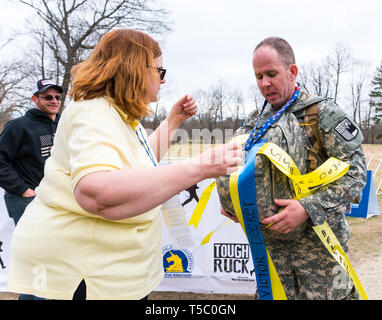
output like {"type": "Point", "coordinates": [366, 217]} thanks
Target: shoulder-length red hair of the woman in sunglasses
{"type": "Point", "coordinates": [118, 70]}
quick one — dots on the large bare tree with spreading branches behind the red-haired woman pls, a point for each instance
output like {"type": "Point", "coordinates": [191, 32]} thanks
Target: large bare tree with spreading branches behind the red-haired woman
{"type": "Point", "coordinates": [70, 28]}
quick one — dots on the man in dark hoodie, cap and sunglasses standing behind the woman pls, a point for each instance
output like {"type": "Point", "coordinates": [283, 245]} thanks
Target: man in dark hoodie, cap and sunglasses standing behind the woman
{"type": "Point", "coordinates": [25, 144]}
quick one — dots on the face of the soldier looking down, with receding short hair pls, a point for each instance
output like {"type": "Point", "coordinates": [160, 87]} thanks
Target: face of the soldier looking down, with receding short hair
{"type": "Point", "coordinates": [275, 80]}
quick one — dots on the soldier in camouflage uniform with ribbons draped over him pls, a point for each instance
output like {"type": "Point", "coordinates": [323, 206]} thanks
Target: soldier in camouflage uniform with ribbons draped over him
{"type": "Point", "coordinates": [305, 267]}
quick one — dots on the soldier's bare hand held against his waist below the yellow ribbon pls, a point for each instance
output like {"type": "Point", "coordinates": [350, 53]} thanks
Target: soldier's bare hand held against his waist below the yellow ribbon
{"type": "Point", "coordinates": [289, 218]}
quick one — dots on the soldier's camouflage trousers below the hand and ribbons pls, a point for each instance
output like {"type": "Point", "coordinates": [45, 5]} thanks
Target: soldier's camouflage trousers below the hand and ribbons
{"type": "Point", "coordinates": [308, 271]}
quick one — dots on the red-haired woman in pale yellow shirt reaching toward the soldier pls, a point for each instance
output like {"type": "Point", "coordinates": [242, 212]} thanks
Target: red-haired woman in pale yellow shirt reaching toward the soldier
{"type": "Point", "coordinates": [94, 230]}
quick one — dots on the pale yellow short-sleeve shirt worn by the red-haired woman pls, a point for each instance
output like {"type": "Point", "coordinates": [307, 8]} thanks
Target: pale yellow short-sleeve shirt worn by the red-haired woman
{"type": "Point", "coordinates": [56, 243]}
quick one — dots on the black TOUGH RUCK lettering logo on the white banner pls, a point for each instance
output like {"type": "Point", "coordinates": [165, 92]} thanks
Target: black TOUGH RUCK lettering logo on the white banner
{"type": "Point", "coordinates": [232, 258]}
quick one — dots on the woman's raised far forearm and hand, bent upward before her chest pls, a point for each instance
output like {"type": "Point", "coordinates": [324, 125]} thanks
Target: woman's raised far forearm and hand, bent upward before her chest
{"type": "Point", "coordinates": [161, 138]}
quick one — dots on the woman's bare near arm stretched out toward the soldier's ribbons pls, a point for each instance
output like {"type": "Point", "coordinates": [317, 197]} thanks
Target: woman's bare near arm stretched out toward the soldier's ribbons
{"type": "Point", "coordinates": [123, 194]}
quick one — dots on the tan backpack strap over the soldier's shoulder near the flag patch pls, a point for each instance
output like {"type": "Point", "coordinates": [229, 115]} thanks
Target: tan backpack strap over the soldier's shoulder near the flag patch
{"type": "Point", "coordinates": [311, 129]}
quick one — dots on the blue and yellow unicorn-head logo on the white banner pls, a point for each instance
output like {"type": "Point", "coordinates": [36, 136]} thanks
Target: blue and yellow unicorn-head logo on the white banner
{"type": "Point", "coordinates": [177, 262]}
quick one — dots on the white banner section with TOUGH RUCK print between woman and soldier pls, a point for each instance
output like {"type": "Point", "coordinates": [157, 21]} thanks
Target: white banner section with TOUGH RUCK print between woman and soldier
{"type": "Point", "coordinates": [223, 265]}
